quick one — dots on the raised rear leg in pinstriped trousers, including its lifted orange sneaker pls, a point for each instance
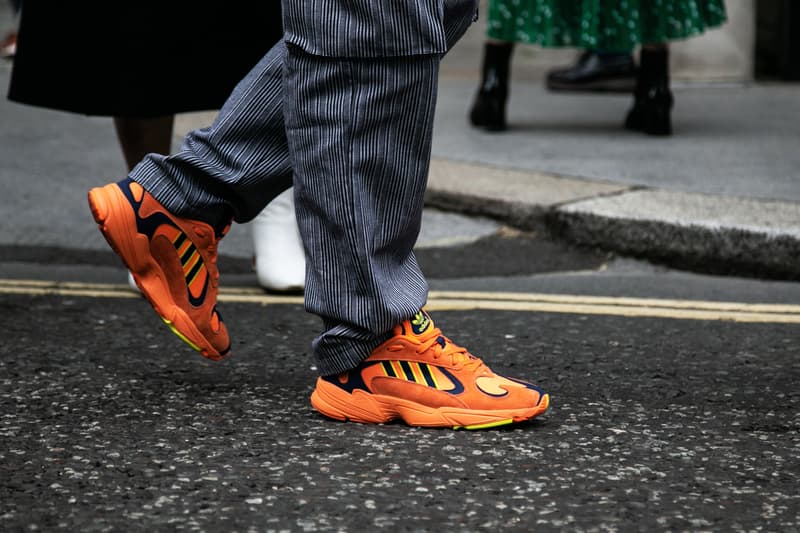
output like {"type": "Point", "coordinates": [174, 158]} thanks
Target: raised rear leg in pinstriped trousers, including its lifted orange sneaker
{"type": "Point", "coordinates": [166, 218]}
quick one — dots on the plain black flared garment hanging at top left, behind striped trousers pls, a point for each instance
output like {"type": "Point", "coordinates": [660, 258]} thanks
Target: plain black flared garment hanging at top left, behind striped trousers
{"type": "Point", "coordinates": [141, 58]}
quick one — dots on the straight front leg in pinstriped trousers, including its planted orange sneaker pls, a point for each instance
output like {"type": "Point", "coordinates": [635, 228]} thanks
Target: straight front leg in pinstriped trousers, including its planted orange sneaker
{"type": "Point", "coordinates": [359, 135]}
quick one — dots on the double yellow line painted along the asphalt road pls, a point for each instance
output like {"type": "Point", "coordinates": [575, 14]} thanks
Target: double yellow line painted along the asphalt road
{"type": "Point", "coordinates": [473, 300]}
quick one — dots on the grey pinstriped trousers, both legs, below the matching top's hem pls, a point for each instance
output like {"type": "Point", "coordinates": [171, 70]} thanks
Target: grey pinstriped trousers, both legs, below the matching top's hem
{"type": "Point", "coordinates": [354, 137]}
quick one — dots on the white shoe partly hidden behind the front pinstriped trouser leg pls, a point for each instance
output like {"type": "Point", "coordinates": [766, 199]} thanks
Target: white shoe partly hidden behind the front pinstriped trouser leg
{"type": "Point", "coordinates": [280, 261]}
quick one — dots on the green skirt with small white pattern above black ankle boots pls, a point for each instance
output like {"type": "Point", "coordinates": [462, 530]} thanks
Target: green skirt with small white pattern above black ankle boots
{"type": "Point", "coordinates": [610, 25]}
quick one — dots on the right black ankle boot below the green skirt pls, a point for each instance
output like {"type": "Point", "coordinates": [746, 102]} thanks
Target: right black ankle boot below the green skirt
{"type": "Point", "coordinates": [652, 100]}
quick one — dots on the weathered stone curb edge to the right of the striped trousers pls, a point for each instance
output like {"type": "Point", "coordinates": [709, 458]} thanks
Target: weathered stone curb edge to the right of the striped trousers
{"type": "Point", "coordinates": [717, 234]}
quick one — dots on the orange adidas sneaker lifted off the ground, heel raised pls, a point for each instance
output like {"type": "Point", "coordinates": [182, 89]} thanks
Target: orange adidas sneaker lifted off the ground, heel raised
{"type": "Point", "coordinates": [172, 259]}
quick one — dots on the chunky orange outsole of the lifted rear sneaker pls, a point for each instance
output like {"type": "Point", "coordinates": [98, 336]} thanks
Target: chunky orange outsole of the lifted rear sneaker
{"type": "Point", "coordinates": [114, 216]}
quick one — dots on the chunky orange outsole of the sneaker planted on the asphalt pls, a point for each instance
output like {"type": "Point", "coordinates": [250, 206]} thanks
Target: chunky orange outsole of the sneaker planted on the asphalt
{"type": "Point", "coordinates": [364, 407]}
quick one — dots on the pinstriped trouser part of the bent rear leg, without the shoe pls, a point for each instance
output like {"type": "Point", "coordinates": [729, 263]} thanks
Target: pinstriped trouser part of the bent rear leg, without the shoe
{"type": "Point", "coordinates": [235, 166]}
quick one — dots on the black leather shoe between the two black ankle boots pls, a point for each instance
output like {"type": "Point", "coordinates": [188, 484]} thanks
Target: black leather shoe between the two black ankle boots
{"type": "Point", "coordinates": [596, 72]}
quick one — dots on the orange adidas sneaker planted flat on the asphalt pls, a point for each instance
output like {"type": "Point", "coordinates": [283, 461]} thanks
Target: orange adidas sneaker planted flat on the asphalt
{"type": "Point", "coordinates": [421, 377]}
